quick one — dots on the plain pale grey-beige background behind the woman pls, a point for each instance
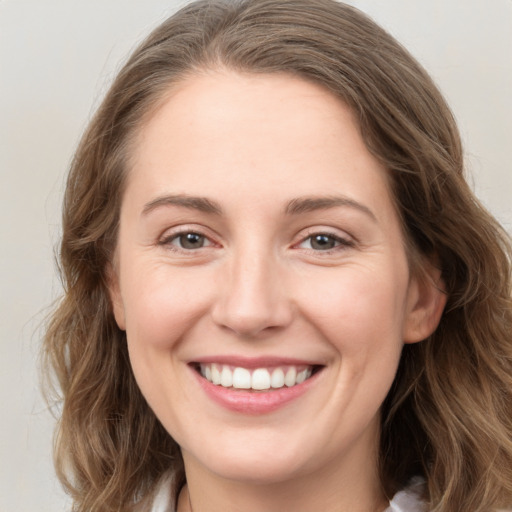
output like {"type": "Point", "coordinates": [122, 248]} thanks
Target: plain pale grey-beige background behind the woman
{"type": "Point", "coordinates": [56, 60]}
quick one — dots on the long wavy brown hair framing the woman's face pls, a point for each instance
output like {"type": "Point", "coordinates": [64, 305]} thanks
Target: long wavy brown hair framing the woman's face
{"type": "Point", "coordinates": [448, 415]}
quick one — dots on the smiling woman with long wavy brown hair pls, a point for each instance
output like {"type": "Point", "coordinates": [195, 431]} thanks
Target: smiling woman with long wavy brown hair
{"type": "Point", "coordinates": [280, 293]}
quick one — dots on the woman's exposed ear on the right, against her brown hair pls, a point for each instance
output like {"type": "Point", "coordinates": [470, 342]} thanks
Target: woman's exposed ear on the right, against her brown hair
{"type": "Point", "coordinates": [426, 299]}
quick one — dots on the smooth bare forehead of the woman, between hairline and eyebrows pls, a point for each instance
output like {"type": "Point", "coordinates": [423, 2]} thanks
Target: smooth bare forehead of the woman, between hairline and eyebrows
{"type": "Point", "coordinates": [223, 132]}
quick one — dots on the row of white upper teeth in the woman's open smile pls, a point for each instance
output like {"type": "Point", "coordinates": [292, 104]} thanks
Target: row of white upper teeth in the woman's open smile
{"type": "Point", "coordinates": [260, 378]}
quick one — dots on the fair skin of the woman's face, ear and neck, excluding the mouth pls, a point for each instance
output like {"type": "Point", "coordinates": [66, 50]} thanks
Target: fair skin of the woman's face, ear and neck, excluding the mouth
{"type": "Point", "coordinates": [255, 145]}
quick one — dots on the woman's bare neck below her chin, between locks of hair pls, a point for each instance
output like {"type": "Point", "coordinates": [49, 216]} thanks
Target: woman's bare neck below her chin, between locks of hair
{"type": "Point", "coordinates": [341, 486]}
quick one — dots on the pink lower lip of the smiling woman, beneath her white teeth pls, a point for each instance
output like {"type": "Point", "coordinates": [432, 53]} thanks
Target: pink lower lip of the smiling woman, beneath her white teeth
{"type": "Point", "coordinates": [254, 402]}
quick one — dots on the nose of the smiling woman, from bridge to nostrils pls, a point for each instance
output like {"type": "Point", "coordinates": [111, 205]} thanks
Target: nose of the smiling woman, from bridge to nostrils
{"type": "Point", "coordinates": [252, 298]}
